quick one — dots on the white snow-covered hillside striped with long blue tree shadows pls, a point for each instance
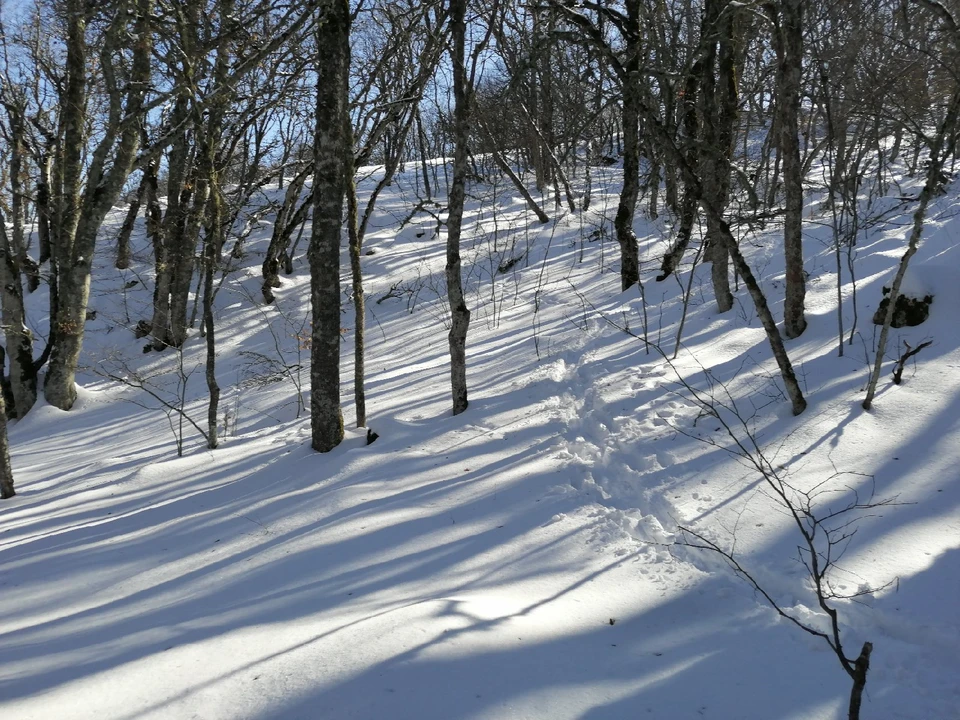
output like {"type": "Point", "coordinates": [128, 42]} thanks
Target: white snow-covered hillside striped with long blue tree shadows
{"type": "Point", "coordinates": [520, 560]}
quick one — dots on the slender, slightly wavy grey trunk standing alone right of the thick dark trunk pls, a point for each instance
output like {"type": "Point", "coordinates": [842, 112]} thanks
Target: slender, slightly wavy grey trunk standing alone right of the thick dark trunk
{"type": "Point", "coordinates": [460, 314]}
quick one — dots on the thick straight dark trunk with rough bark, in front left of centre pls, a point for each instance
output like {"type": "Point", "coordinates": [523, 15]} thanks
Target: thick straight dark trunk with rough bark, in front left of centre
{"type": "Point", "coordinates": [329, 186]}
